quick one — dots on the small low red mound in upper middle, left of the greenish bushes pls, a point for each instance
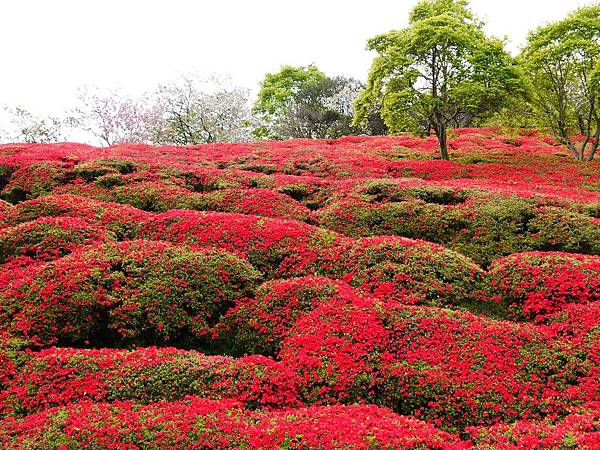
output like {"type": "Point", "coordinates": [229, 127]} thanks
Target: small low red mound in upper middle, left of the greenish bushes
{"type": "Point", "coordinates": [261, 202]}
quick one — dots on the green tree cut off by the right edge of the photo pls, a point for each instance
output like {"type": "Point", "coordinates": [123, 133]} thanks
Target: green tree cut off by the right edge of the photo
{"type": "Point", "coordinates": [561, 61]}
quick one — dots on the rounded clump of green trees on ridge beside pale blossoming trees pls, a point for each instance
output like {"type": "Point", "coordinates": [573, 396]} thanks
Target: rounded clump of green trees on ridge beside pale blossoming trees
{"type": "Point", "coordinates": [304, 102]}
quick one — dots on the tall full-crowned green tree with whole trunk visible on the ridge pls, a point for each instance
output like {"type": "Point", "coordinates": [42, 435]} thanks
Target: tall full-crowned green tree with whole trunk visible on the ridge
{"type": "Point", "coordinates": [439, 72]}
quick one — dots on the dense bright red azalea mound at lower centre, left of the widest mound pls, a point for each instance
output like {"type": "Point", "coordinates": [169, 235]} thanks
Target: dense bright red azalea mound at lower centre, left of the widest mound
{"type": "Point", "coordinates": [337, 351]}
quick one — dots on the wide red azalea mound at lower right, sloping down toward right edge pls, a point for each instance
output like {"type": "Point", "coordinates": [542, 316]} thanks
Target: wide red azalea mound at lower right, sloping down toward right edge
{"type": "Point", "coordinates": [457, 369]}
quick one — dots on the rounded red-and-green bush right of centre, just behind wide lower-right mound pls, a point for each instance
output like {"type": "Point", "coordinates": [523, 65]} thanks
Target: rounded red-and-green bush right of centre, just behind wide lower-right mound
{"type": "Point", "coordinates": [410, 271]}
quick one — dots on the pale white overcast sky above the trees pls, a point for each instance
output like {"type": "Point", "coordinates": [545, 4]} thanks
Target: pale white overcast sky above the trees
{"type": "Point", "coordinates": [49, 48]}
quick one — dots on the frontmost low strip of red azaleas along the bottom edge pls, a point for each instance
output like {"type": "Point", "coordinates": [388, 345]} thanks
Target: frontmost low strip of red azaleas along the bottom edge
{"type": "Point", "coordinates": [200, 423]}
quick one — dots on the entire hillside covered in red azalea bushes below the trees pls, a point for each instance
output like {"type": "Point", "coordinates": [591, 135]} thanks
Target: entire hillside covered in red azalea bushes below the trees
{"type": "Point", "coordinates": [349, 293]}
